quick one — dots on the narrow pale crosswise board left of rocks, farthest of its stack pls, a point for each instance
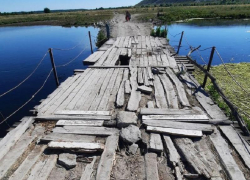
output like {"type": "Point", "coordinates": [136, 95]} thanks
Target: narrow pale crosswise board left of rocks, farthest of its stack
{"type": "Point", "coordinates": [73, 112]}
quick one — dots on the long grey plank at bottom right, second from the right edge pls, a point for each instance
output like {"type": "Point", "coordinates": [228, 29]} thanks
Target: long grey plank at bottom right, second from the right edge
{"type": "Point", "coordinates": [227, 160]}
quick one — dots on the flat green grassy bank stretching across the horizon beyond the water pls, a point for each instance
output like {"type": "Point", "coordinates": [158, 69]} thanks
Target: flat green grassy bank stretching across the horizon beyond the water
{"type": "Point", "coordinates": [91, 17]}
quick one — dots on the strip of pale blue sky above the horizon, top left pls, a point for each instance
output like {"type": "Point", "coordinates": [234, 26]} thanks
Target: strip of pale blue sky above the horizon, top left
{"type": "Point", "coordinates": [36, 5]}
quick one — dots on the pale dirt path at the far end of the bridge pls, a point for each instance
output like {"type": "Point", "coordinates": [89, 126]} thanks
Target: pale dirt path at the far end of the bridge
{"type": "Point", "coordinates": [131, 28]}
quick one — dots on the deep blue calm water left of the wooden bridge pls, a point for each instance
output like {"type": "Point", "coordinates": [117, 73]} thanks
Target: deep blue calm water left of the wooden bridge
{"type": "Point", "coordinates": [21, 48]}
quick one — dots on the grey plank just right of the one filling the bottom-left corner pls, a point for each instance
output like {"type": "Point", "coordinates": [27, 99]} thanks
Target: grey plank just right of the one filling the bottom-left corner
{"type": "Point", "coordinates": [28, 163]}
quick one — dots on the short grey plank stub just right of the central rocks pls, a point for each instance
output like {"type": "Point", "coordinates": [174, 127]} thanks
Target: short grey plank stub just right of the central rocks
{"type": "Point", "coordinates": [155, 143]}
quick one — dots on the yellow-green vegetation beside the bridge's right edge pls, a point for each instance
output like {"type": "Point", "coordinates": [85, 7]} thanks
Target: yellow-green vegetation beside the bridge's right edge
{"type": "Point", "coordinates": [231, 90]}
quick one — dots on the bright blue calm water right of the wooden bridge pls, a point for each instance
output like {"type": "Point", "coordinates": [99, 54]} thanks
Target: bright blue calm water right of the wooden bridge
{"type": "Point", "coordinates": [232, 39]}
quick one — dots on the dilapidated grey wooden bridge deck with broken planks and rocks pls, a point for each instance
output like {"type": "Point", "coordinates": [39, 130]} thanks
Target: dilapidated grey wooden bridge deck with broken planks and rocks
{"type": "Point", "coordinates": [133, 114]}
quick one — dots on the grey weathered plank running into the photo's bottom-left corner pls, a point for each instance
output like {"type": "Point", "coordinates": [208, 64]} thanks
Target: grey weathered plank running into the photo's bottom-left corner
{"type": "Point", "coordinates": [14, 154]}
